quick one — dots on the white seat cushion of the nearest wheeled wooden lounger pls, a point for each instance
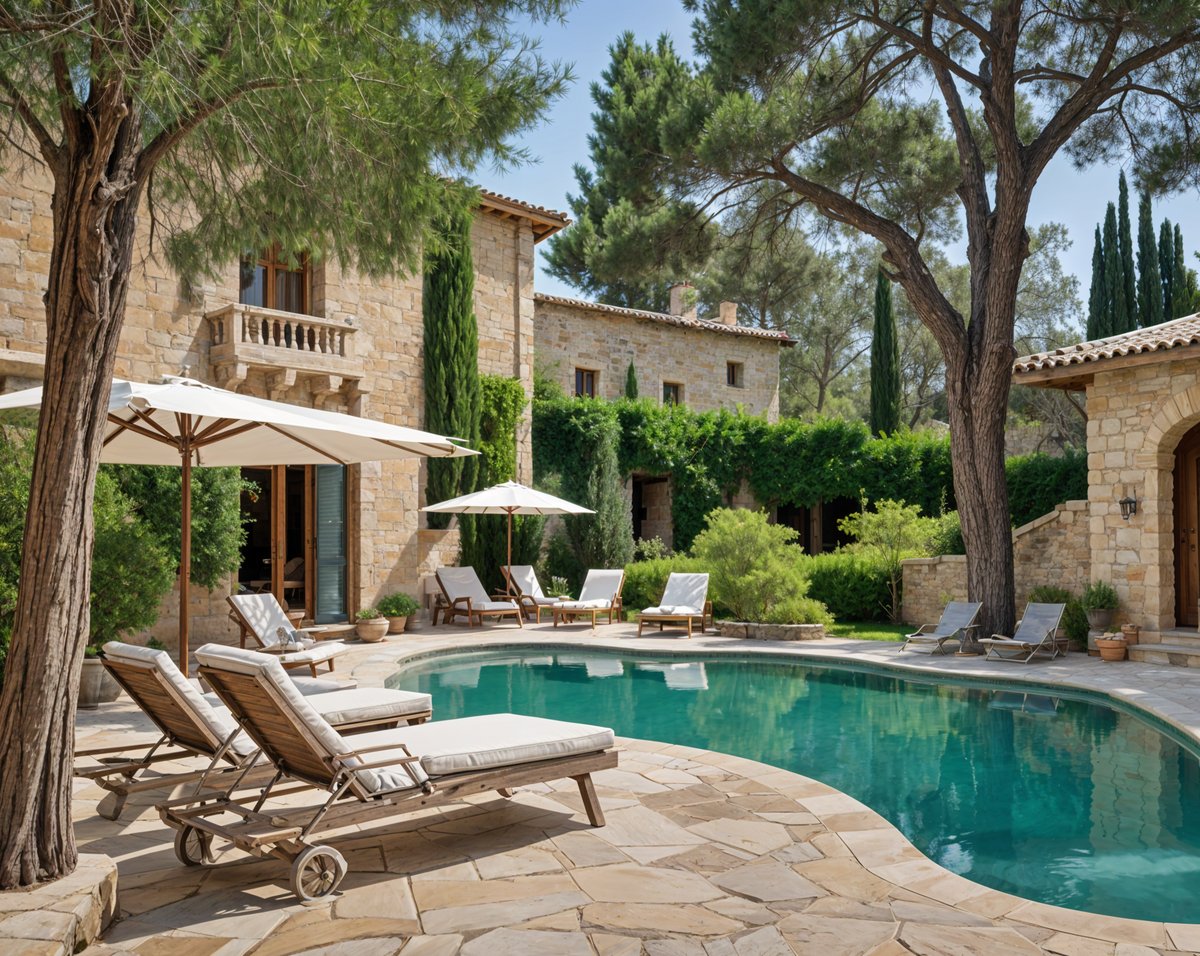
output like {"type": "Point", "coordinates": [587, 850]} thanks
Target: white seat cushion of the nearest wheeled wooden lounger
{"type": "Point", "coordinates": [489, 742]}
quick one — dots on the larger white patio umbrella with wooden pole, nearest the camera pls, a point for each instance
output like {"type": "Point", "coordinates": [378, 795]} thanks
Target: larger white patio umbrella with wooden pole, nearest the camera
{"type": "Point", "coordinates": [189, 424]}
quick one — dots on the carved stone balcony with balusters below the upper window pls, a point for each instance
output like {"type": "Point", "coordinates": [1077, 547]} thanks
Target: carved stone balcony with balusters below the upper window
{"type": "Point", "coordinates": [286, 346]}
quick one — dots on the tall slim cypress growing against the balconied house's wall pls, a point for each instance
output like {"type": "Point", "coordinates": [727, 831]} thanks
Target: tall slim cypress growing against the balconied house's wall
{"type": "Point", "coordinates": [452, 360]}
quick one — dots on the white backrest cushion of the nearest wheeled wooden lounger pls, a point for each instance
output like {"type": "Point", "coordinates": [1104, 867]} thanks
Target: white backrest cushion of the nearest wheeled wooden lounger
{"type": "Point", "coordinates": [268, 670]}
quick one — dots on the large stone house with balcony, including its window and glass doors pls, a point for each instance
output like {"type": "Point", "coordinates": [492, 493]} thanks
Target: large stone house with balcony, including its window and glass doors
{"type": "Point", "coordinates": [327, 538]}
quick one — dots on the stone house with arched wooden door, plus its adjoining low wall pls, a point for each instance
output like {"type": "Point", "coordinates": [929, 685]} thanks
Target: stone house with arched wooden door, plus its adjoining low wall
{"type": "Point", "coordinates": [1139, 528]}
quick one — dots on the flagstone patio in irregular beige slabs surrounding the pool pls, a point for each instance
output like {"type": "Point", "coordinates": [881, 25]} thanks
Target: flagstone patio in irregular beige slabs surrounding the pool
{"type": "Point", "coordinates": [704, 855]}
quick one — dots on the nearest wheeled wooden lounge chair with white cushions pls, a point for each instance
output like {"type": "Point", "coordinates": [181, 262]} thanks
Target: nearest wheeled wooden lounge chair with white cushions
{"type": "Point", "coordinates": [371, 778]}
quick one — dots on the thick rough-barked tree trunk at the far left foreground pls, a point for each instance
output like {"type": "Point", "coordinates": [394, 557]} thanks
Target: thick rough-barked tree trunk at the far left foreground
{"type": "Point", "coordinates": [95, 214]}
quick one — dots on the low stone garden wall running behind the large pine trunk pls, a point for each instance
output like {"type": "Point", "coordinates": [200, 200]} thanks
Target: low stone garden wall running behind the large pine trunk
{"type": "Point", "coordinates": [1052, 550]}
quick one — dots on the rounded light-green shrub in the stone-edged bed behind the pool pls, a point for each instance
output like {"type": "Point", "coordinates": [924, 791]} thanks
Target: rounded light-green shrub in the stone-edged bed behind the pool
{"type": "Point", "coordinates": [754, 569]}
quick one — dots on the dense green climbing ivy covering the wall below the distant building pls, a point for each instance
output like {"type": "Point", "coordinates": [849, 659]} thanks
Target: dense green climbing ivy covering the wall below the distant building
{"type": "Point", "coordinates": [793, 462]}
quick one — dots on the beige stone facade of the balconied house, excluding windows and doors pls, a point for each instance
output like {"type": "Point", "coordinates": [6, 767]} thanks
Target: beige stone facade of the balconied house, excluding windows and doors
{"type": "Point", "coordinates": [363, 357]}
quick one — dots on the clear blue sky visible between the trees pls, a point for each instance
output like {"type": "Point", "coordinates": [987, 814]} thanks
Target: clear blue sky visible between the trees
{"type": "Point", "coordinates": [1065, 195]}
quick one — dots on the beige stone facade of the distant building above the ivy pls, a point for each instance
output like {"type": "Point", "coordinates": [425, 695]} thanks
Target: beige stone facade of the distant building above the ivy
{"type": "Point", "coordinates": [701, 358]}
